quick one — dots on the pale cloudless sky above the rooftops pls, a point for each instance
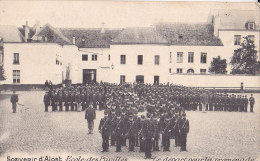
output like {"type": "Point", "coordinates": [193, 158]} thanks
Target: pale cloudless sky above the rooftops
{"type": "Point", "coordinates": [114, 14]}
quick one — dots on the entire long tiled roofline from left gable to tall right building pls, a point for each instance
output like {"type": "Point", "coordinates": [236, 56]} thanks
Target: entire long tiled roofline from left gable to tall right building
{"type": "Point", "coordinates": [167, 34]}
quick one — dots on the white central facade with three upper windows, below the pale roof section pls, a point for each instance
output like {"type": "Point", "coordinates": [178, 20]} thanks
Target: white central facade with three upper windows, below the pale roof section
{"type": "Point", "coordinates": [131, 69]}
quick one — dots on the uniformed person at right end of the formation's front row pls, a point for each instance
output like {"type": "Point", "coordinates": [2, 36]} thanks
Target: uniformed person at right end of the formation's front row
{"type": "Point", "coordinates": [183, 130]}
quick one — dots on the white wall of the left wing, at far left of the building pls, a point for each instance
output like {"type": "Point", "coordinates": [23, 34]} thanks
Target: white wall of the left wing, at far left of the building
{"type": "Point", "coordinates": [37, 62]}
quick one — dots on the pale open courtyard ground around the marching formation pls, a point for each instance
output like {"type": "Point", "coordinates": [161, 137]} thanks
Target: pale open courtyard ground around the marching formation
{"type": "Point", "coordinates": [31, 132]}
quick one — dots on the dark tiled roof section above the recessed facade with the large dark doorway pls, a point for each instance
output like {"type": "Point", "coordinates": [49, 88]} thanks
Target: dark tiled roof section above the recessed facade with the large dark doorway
{"type": "Point", "coordinates": [90, 38]}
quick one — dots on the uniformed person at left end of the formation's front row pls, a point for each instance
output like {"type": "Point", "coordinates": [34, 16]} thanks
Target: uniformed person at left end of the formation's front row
{"type": "Point", "coordinates": [104, 129]}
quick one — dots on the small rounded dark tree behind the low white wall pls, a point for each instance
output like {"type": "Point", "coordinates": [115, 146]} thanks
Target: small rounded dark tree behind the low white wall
{"type": "Point", "coordinates": [218, 66]}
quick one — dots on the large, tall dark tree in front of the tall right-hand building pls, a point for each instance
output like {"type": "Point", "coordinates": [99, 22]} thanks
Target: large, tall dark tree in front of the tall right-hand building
{"type": "Point", "coordinates": [244, 59]}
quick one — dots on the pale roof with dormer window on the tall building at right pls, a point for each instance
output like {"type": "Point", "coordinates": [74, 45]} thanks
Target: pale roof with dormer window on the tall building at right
{"type": "Point", "coordinates": [237, 19]}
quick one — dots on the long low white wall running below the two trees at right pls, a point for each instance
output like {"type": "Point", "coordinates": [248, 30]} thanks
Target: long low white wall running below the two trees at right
{"type": "Point", "coordinates": [216, 81]}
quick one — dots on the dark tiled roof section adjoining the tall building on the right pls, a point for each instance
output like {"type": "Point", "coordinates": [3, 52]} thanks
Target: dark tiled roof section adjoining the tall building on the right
{"type": "Point", "coordinates": [189, 34]}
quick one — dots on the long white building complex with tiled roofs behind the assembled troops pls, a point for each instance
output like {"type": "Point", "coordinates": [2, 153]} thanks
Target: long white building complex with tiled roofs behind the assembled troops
{"type": "Point", "coordinates": [153, 54]}
